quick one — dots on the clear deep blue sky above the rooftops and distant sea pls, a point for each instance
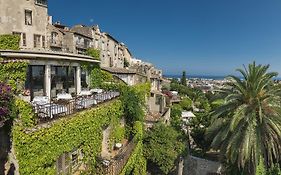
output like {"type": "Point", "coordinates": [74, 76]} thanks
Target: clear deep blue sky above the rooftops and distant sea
{"type": "Point", "coordinates": [202, 37]}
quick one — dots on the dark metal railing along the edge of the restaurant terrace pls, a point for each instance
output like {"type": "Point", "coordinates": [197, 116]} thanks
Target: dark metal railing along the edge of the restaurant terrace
{"type": "Point", "coordinates": [61, 108]}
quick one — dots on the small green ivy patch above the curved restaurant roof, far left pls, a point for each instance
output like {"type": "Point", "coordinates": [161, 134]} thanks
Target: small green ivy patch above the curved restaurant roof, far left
{"type": "Point", "coordinates": [9, 42]}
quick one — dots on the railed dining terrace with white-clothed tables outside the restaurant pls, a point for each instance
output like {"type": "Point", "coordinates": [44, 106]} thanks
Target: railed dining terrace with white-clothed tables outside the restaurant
{"type": "Point", "coordinates": [65, 105]}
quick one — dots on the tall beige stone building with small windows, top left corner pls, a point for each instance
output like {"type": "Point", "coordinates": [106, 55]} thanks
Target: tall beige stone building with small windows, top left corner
{"type": "Point", "coordinates": [27, 19]}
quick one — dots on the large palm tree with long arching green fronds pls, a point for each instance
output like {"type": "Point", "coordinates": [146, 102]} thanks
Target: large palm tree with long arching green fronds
{"type": "Point", "coordinates": [247, 127]}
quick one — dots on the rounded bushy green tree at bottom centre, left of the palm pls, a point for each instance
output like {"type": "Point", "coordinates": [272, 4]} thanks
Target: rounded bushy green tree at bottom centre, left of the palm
{"type": "Point", "coordinates": [162, 146]}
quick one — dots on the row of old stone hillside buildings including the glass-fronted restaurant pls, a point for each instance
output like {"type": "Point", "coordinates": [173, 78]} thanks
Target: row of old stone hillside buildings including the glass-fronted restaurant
{"type": "Point", "coordinates": [55, 51]}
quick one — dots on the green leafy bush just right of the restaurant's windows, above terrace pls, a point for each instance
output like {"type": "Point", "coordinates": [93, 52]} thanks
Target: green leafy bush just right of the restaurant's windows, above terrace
{"type": "Point", "coordinates": [99, 77]}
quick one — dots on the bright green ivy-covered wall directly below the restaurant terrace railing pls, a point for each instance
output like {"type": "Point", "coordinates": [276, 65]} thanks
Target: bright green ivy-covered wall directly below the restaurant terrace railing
{"type": "Point", "coordinates": [38, 151]}
